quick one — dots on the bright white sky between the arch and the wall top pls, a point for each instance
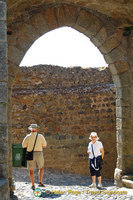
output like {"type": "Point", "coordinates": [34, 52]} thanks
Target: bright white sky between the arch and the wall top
{"type": "Point", "coordinates": [64, 47]}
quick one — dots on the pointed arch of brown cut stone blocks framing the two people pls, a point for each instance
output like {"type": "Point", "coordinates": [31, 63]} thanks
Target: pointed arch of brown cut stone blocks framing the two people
{"type": "Point", "coordinates": [107, 37]}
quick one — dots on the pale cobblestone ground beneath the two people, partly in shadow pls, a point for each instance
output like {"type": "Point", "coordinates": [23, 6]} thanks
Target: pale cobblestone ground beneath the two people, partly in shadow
{"type": "Point", "coordinates": [65, 186]}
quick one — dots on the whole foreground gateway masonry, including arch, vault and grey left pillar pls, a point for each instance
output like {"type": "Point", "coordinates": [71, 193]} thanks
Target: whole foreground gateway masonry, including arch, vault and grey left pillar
{"type": "Point", "coordinates": [108, 24]}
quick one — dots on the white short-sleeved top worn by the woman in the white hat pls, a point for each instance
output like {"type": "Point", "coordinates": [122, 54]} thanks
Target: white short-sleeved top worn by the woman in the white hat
{"type": "Point", "coordinates": [96, 148]}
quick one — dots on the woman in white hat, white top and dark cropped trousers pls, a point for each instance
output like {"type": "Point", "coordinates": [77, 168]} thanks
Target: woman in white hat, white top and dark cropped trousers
{"type": "Point", "coordinates": [96, 154]}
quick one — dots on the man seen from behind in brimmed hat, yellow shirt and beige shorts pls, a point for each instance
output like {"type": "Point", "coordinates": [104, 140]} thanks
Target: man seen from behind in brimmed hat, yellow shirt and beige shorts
{"type": "Point", "coordinates": [38, 158]}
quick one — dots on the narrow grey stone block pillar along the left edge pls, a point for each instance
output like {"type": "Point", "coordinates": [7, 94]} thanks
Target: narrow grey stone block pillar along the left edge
{"type": "Point", "coordinates": [4, 148]}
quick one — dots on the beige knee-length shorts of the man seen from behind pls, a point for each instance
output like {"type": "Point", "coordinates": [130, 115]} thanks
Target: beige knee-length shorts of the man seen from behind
{"type": "Point", "coordinates": [37, 159]}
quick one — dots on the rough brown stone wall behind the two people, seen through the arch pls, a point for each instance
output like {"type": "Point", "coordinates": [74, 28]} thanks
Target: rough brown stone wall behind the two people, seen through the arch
{"type": "Point", "coordinates": [67, 104]}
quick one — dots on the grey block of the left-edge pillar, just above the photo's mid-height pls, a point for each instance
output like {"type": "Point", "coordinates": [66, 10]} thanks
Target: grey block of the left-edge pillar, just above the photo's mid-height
{"type": "Point", "coordinates": [3, 92]}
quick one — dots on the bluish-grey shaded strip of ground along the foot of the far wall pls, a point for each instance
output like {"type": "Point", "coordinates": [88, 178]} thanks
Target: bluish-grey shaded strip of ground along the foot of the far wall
{"type": "Point", "coordinates": [56, 178]}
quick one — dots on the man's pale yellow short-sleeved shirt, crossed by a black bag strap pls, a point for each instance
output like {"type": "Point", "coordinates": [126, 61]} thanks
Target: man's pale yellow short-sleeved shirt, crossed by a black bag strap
{"type": "Point", "coordinates": [30, 139]}
